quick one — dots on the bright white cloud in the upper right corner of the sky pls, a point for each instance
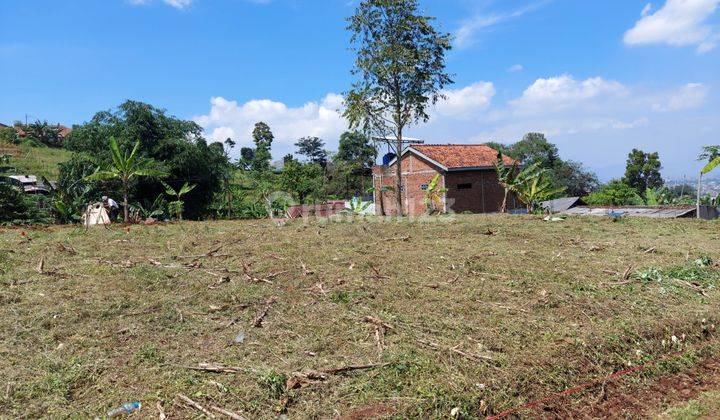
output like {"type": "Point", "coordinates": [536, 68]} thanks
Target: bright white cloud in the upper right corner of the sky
{"type": "Point", "coordinates": [677, 23]}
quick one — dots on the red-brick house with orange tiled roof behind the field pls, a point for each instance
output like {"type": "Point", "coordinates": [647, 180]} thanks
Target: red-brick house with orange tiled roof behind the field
{"type": "Point", "coordinates": [467, 172]}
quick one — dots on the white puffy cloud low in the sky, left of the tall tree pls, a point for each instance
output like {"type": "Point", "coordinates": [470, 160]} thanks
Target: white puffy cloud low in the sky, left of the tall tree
{"type": "Point", "coordinates": [228, 118]}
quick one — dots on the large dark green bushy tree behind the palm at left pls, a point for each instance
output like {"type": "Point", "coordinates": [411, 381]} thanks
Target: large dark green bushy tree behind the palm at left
{"type": "Point", "coordinates": [176, 144]}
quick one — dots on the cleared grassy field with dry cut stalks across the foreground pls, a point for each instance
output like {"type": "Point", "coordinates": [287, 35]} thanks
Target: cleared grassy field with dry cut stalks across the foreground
{"type": "Point", "coordinates": [360, 319]}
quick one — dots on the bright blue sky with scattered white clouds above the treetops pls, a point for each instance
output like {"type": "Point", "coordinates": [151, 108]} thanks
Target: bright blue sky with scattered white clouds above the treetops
{"type": "Point", "coordinates": [598, 77]}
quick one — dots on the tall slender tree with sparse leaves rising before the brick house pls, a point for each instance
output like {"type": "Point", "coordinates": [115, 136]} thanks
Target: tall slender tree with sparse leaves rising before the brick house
{"type": "Point", "coordinates": [400, 67]}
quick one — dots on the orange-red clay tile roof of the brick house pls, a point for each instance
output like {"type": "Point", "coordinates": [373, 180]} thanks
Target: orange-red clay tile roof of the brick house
{"type": "Point", "coordinates": [456, 156]}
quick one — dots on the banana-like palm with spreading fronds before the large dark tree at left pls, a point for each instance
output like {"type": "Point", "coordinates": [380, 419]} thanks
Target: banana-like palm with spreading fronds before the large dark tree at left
{"type": "Point", "coordinates": [125, 167]}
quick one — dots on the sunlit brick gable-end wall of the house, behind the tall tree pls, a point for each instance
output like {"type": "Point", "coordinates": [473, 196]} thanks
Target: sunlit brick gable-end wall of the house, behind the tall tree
{"type": "Point", "coordinates": [416, 173]}
